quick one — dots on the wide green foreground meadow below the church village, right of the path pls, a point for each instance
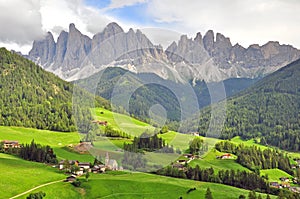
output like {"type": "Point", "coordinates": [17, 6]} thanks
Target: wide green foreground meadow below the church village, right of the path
{"type": "Point", "coordinates": [141, 185]}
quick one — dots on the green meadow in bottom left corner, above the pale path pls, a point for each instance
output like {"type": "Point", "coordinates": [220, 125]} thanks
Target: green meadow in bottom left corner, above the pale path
{"type": "Point", "coordinates": [18, 175]}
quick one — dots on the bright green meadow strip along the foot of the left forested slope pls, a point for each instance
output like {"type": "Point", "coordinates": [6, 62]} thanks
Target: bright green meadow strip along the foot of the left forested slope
{"type": "Point", "coordinates": [57, 140]}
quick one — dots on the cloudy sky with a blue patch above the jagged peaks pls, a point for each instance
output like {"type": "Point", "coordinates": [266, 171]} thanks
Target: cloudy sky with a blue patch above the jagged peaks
{"type": "Point", "coordinates": [243, 21]}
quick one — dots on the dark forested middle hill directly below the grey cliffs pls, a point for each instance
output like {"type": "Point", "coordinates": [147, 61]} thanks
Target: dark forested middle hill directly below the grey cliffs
{"type": "Point", "coordinates": [149, 89]}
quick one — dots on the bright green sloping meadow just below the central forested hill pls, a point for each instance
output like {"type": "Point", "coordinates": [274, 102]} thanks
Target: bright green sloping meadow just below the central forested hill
{"type": "Point", "coordinates": [122, 122]}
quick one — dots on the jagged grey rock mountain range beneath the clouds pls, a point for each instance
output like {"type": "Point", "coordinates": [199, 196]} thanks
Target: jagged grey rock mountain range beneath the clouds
{"type": "Point", "coordinates": [211, 57]}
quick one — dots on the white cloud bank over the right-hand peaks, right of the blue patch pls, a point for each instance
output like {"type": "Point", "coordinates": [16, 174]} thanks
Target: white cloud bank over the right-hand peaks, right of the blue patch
{"type": "Point", "coordinates": [246, 22]}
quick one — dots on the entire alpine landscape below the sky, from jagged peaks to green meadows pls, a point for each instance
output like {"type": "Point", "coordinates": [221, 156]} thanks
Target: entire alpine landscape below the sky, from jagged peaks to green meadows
{"type": "Point", "coordinates": [201, 118]}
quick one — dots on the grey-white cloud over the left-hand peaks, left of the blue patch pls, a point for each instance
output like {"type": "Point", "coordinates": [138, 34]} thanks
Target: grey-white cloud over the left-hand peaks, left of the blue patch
{"type": "Point", "coordinates": [23, 21]}
